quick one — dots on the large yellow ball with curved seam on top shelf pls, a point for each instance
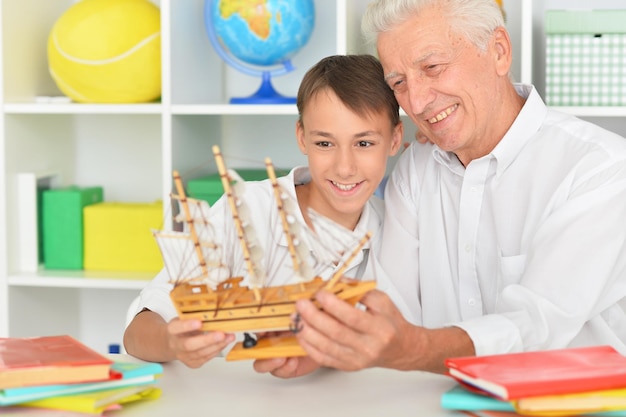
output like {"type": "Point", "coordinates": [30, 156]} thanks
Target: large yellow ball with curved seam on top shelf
{"type": "Point", "coordinates": [107, 51]}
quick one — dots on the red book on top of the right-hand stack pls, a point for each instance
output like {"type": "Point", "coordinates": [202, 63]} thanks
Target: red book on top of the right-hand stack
{"type": "Point", "coordinates": [549, 372]}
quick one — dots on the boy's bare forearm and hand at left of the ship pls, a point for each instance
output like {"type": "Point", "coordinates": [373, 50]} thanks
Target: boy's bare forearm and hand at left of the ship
{"type": "Point", "coordinates": [149, 337]}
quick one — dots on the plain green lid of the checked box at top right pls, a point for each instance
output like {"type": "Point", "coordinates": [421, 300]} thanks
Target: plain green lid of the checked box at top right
{"type": "Point", "coordinates": [585, 21]}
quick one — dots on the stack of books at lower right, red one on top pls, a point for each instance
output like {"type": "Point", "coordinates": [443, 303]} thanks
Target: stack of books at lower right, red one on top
{"type": "Point", "coordinates": [589, 381]}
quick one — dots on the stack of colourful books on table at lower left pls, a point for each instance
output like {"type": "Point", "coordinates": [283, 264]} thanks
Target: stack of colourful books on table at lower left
{"type": "Point", "coordinates": [61, 373]}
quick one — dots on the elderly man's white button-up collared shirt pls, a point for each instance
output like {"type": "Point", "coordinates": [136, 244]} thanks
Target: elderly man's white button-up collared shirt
{"type": "Point", "coordinates": [525, 248]}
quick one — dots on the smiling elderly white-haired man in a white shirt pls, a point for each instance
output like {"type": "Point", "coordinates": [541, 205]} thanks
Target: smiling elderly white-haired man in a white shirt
{"type": "Point", "coordinates": [504, 233]}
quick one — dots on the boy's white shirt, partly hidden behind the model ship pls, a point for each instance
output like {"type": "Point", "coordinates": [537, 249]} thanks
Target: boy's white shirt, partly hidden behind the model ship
{"type": "Point", "coordinates": [260, 199]}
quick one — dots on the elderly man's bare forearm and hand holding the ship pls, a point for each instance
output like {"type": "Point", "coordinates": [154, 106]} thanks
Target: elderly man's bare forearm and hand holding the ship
{"type": "Point", "coordinates": [350, 339]}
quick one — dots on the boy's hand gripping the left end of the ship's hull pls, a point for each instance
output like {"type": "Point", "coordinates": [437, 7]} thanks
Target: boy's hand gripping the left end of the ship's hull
{"type": "Point", "coordinates": [192, 346]}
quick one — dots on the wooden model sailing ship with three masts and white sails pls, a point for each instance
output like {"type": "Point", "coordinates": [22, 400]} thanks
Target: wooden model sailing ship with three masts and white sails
{"type": "Point", "coordinates": [204, 290]}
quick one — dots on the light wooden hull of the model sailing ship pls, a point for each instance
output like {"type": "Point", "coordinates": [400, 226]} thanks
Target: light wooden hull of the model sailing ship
{"type": "Point", "coordinates": [234, 308]}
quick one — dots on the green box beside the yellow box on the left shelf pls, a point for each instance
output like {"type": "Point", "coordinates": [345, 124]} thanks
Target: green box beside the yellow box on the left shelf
{"type": "Point", "coordinates": [63, 225]}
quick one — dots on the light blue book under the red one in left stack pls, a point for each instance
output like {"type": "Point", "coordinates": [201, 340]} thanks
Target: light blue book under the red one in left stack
{"type": "Point", "coordinates": [123, 374]}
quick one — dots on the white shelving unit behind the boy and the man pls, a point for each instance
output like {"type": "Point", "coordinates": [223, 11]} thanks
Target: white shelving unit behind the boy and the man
{"type": "Point", "coordinates": [131, 150]}
